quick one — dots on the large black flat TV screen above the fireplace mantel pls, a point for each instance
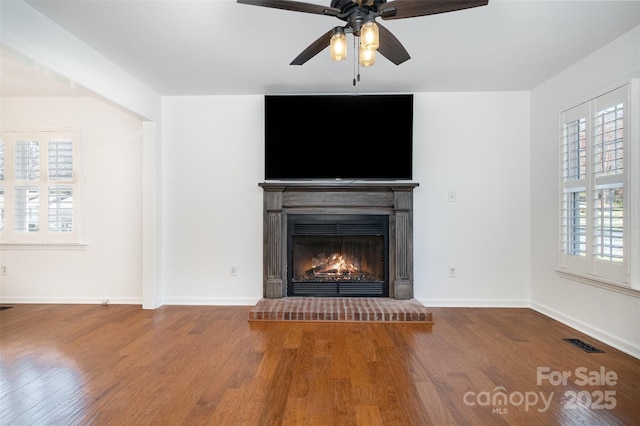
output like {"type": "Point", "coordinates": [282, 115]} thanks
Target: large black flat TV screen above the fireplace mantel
{"type": "Point", "coordinates": [357, 137]}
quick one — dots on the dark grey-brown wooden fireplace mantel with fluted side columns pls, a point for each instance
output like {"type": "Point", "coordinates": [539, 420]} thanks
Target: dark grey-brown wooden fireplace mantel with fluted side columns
{"type": "Point", "coordinates": [394, 199]}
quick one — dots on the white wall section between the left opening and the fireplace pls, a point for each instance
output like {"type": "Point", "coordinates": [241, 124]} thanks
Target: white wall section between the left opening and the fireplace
{"type": "Point", "coordinates": [213, 161]}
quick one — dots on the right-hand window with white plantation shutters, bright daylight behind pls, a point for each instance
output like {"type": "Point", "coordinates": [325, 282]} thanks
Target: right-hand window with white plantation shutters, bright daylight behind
{"type": "Point", "coordinates": [595, 198]}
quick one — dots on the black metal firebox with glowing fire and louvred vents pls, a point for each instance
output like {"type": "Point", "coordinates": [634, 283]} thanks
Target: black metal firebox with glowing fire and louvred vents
{"type": "Point", "coordinates": [338, 255]}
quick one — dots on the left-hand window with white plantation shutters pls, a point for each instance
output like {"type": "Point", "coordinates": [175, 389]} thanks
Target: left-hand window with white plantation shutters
{"type": "Point", "coordinates": [39, 187]}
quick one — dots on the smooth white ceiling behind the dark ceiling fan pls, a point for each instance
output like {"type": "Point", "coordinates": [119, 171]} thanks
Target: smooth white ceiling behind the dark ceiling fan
{"type": "Point", "coordinates": [209, 47]}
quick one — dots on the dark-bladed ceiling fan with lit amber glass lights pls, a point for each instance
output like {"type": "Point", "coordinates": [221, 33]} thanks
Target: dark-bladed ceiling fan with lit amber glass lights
{"type": "Point", "coordinates": [360, 16]}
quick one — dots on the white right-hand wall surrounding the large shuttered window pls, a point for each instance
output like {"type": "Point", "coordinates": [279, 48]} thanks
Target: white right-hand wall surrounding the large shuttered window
{"type": "Point", "coordinates": [604, 314]}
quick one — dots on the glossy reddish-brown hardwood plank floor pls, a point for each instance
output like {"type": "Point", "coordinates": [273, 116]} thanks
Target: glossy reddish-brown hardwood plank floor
{"type": "Point", "coordinates": [121, 365]}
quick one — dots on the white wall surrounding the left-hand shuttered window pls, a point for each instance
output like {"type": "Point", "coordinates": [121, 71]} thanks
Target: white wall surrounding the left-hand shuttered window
{"type": "Point", "coordinates": [110, 267]}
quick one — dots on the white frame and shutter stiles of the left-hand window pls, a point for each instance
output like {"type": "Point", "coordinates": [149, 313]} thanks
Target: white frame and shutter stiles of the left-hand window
{"type": "Point", "coordinates": [10, 238]}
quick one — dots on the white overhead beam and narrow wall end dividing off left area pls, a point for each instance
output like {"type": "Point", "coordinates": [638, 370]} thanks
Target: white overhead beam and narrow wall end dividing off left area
{"type": "Point", "coordinates": [32, 37]}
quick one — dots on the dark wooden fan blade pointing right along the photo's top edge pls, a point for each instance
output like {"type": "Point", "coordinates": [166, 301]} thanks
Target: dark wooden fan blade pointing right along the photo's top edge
{"type": "Point", "coordinates": [399, 9]}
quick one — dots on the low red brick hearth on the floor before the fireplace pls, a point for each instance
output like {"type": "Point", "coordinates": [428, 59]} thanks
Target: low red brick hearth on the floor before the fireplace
{"type": "Point", "coordinates": [346, 309]}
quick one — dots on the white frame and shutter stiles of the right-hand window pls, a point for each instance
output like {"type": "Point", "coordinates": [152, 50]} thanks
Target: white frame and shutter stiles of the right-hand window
{"type": "Point", "coordinates": [587, 267]}
